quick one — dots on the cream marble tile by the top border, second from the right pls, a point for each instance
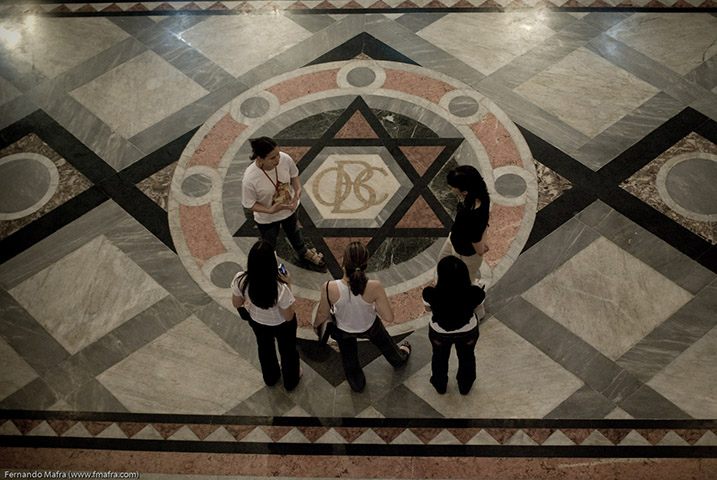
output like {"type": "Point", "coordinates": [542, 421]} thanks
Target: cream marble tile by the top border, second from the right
{"type": "Point", "coordinates": [488, 41]}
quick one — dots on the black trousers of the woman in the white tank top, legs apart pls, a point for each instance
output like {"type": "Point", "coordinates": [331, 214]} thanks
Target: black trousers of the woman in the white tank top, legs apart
{"type": "Point", "coordinates": [348, 346]}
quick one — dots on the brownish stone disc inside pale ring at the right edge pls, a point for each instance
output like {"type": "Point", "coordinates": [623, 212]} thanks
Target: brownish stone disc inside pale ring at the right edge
{"type": "Point", "coordinates": [691, 184]}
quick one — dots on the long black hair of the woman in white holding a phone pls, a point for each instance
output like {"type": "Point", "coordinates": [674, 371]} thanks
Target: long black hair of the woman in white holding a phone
{"type": "Point", "coordinates": [261, 277]}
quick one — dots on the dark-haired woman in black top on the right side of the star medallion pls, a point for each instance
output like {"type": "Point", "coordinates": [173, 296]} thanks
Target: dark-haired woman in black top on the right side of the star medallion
{"type": "Point", "coordinates": [468, 237]}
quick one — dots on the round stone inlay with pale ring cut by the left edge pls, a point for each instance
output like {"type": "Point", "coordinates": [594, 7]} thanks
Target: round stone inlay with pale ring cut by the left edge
{"type": "Point", "coordinates": [25, 182]}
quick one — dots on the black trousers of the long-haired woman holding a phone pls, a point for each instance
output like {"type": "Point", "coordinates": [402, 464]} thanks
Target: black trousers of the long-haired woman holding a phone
{"type": "Point", "coordinates": [285, 336]}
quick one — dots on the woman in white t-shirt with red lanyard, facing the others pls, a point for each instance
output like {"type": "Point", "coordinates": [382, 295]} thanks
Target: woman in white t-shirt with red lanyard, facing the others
{"type": "Point", "coordinates": [267, 191]}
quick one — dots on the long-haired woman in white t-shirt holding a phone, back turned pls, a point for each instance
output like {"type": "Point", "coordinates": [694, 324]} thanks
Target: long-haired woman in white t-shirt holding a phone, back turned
{"type": "Point", "coordinates": [265, 294]}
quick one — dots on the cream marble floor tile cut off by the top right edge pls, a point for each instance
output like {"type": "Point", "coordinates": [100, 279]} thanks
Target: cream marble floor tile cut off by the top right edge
{"type": "Point", "coordinates": [680, 41]}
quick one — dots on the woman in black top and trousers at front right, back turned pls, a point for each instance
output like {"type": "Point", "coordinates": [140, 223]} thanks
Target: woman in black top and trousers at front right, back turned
{"type": "Point", "coordinates": [453, 302]}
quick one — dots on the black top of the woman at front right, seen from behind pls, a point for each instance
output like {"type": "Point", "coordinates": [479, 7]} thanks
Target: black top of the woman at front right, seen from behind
{"type": "Point", "coordinates": [454, 312]}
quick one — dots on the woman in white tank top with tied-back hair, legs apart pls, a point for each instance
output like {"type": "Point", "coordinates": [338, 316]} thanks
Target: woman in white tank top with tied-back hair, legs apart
{"type": "Point", "coordinates": [358, 305]}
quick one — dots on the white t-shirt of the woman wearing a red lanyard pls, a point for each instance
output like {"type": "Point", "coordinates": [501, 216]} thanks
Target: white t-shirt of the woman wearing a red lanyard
{"type": "Point", "coordinates": [257, 188]}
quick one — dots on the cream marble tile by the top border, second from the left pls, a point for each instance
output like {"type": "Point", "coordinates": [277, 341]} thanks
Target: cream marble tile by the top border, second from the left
{"type": "Point", "coordinates": [238, 43]}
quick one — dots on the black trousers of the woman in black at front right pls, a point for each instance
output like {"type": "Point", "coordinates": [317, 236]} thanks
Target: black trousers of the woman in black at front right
{"type": "Point", "coordinates": [465, 343]}
